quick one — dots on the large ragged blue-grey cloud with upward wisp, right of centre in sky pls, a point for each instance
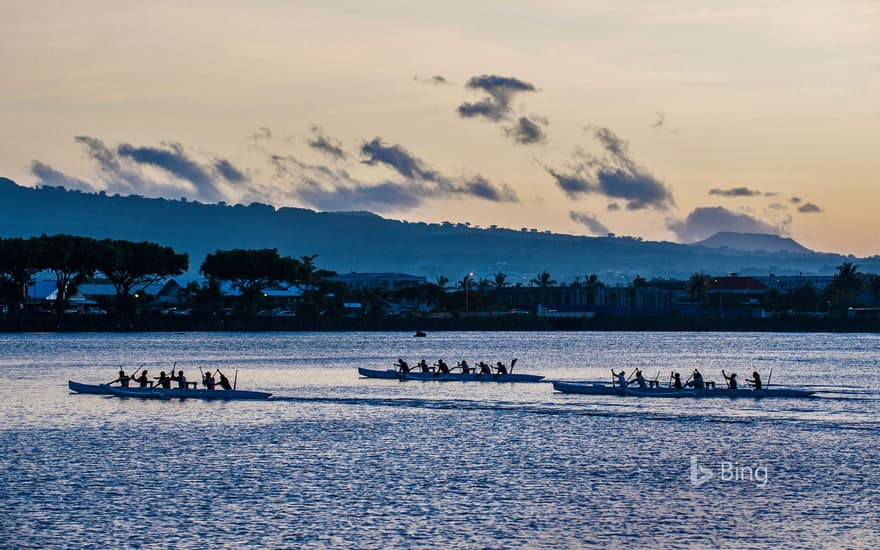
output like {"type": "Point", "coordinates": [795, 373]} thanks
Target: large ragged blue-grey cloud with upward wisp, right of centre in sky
{"type": "Point", "coordinates": [615, 176]}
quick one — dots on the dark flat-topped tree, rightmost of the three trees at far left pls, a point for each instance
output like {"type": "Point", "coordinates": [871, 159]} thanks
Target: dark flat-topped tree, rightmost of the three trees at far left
{"type": "Point", "coordinates": [129, 265]}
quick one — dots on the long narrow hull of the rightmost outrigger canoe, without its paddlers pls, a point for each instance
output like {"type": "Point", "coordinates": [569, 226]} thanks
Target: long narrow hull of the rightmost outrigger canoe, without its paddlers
{"type": "Point", "coordinates": [604, 388]}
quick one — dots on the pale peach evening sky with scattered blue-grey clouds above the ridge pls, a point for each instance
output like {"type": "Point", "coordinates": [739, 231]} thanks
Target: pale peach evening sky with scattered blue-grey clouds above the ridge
{"type": "Point", "coordinates": [667, 122]}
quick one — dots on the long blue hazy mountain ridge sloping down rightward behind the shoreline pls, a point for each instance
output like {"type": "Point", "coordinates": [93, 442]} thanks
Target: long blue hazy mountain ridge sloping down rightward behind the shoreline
{"type": "Point", "coordinates": [358, 241]}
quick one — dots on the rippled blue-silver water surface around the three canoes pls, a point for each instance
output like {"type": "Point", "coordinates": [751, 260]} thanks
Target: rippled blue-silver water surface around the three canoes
{"type": "Point", "coordinates": [339, 461]}
